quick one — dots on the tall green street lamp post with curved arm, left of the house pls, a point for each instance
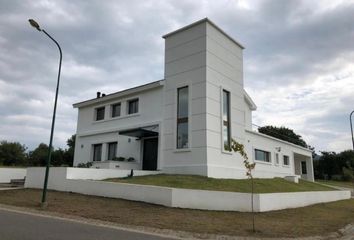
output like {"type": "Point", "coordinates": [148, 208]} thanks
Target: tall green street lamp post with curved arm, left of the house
{"type": "Point", "coordinates": [44, 194]}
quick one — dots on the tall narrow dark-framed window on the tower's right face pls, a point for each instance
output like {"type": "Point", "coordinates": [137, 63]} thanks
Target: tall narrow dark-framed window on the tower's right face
{"type": "Point", "coordinates": [226, 123]}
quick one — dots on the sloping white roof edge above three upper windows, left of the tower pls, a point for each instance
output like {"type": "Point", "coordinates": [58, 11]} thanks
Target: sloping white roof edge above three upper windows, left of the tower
{"type": "Point", "coordinates": [118, 94]}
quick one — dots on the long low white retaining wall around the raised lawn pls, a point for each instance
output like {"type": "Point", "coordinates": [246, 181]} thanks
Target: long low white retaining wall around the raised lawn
{"type": "Point", "coordinates": [67, 179]}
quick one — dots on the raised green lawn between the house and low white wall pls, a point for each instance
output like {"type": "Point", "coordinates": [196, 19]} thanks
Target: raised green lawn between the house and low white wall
{"type": "Point", "coordinates": [230, 185]}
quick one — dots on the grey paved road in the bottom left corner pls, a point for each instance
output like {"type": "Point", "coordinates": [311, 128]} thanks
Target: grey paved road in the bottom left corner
{"type": "Point", "coordinates": [21, 226]}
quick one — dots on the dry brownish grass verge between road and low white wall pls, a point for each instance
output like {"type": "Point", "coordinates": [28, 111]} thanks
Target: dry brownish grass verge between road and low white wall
{"type": "Point", "coordinates": [308, 221]}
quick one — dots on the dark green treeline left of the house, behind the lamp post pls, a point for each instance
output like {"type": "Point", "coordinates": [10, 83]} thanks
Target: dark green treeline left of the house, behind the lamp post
{"type": "Point", "coordinates": [16, 154]}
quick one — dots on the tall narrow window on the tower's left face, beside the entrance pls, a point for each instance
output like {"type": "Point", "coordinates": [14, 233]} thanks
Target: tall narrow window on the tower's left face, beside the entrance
{"type": "Point", "coordinates": [182, 117]}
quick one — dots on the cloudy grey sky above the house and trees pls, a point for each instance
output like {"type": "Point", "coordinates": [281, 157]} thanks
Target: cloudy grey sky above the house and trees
{"type": "Point", "coordinates": [298, 61]}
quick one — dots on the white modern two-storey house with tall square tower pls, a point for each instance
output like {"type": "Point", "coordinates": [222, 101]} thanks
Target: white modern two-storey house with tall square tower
{"type": "Point", "coordinates": [184, 122]}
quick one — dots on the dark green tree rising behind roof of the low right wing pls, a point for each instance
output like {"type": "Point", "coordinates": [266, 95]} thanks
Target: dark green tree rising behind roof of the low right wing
{"type": "Point", "coordinates": [283, 133]}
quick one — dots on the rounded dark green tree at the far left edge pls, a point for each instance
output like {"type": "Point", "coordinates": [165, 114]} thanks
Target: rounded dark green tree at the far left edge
{"type": "Point", "coordinates": [12, 153]}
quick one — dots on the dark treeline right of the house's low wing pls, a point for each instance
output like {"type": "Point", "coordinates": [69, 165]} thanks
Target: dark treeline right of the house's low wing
{"type": "Point", "coordinates": [335, 166]}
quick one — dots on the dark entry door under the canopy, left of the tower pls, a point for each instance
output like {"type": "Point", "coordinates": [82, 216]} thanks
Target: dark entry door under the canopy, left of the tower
{"type": "Point", "coordinates": [150, 154]}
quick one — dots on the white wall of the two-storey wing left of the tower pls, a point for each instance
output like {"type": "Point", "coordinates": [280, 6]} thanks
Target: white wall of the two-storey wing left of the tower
{"type": "Point", "coordinates": [91, 132]}
